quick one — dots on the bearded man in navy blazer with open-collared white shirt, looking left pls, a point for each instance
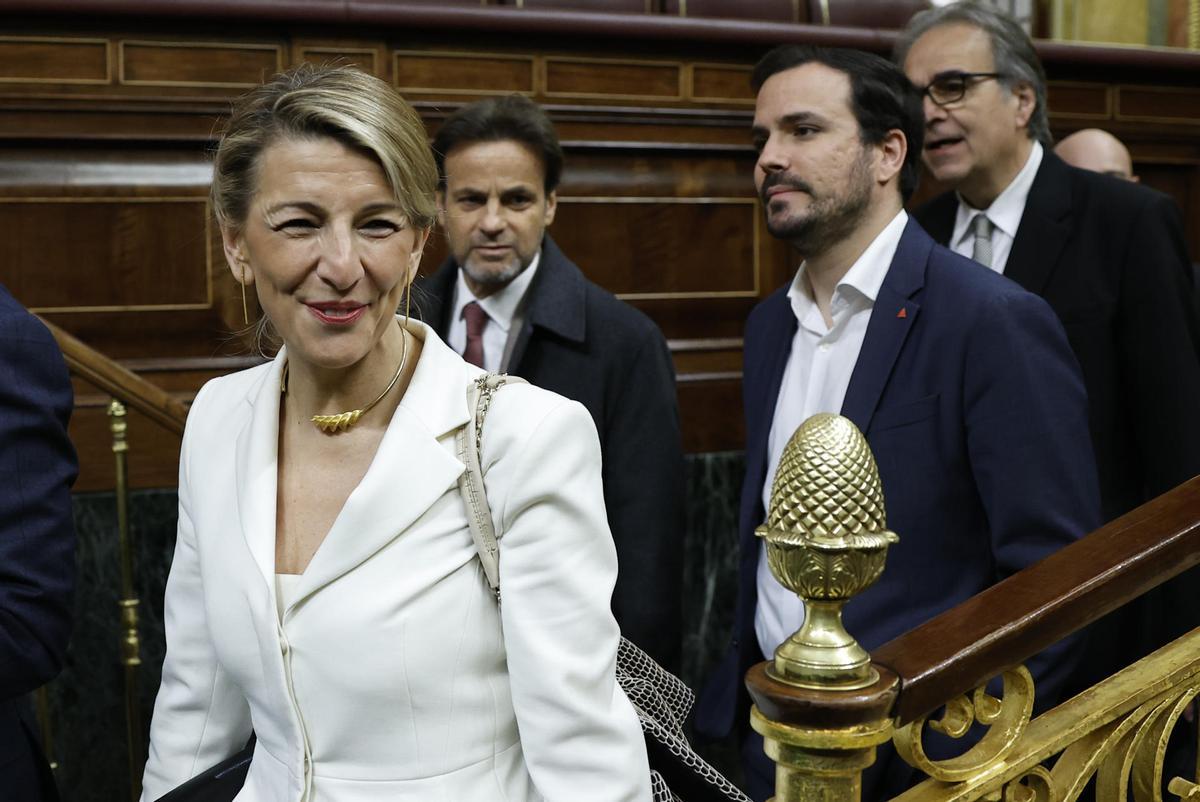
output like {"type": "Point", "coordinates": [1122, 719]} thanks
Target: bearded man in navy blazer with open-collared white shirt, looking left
{"type": "Point", "coordinates": [963, 382]}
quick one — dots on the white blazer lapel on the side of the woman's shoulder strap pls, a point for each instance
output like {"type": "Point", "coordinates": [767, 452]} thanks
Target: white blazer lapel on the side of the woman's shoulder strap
{"type": "Point", "coordinates": [410, 472]}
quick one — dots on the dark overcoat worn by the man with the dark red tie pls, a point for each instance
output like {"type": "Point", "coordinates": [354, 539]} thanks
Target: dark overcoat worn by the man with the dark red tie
{"type": "Point", "coordinates": [583, 343]}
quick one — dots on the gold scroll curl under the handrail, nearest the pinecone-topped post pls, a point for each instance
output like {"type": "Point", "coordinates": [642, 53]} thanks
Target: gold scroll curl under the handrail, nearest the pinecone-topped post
{"type": "Point", "coordinates": [1006, 719]}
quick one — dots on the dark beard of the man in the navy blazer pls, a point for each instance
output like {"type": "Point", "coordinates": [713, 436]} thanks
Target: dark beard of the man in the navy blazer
{"type": "Point", "coordinates": [829, 219]}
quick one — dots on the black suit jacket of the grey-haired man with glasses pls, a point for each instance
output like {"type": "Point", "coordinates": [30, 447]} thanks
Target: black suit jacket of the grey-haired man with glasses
{"type": "Point", "coordinates": [1111, 260]}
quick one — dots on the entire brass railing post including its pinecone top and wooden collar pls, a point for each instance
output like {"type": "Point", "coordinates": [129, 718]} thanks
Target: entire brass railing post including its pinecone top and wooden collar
{"type": "Point", "coordinates": [821, 707]}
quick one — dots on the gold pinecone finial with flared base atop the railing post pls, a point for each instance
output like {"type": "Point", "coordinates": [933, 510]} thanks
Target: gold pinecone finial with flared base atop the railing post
{"type": "Point", "coordinates": [827, 541]}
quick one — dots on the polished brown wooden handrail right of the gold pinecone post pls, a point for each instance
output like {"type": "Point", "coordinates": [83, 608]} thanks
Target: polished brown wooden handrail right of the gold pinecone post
{"type": "Point", "coordinates": [1016, 619]}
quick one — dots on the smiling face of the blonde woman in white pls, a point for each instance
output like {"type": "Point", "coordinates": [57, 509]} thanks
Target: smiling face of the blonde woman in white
{"type": "Point", "coordinates": [328, 249]}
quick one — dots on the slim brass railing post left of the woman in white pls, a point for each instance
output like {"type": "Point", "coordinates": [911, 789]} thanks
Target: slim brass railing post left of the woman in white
{"type": "Point", "coordinates": [130, 645]}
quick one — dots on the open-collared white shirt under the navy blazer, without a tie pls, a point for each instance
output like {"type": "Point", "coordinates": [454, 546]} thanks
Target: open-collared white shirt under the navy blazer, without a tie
{"type": "Point", "coordinates": [819, 369]}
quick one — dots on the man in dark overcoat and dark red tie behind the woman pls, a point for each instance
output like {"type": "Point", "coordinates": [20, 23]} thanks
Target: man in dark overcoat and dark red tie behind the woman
{"type": "Point", "coordinates": [511, 301]}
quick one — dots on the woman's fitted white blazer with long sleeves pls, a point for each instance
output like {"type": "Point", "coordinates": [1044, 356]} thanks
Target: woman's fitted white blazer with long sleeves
{"type": "Point", "coordinates": [393, 675]}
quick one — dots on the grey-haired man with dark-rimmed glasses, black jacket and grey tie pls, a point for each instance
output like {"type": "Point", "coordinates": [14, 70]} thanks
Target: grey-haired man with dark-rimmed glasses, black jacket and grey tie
{"type": "Point", "coordinates": [1108, 255]}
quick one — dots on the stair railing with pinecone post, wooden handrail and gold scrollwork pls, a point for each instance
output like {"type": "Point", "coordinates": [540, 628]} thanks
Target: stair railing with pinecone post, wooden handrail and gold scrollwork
{"type": "Point", "coordinates": [825, 707]}
